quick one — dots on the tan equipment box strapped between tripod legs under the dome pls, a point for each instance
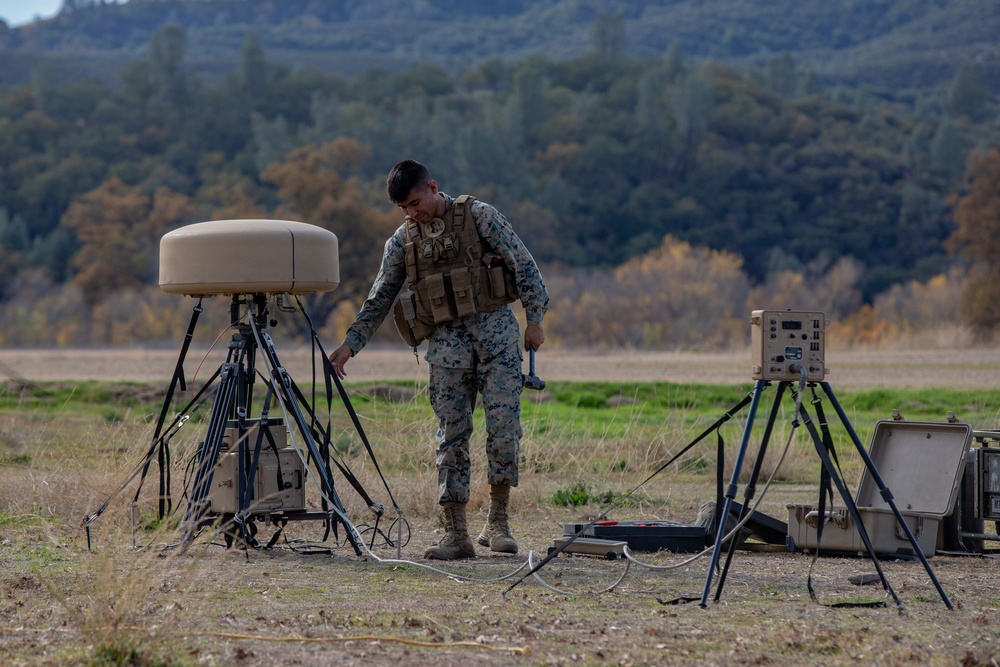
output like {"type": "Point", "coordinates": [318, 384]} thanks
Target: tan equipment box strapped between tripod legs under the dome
{"type": "Point", "coordinates": [269, 494]}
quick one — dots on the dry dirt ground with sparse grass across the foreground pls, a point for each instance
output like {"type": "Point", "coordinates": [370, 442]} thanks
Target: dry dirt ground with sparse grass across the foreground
{"type": "Point", "coordinates": [219, 607]}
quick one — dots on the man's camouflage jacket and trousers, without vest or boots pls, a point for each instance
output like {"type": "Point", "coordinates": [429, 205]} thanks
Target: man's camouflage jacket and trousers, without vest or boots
{"type": "Point", "coordinates": [480, 353]}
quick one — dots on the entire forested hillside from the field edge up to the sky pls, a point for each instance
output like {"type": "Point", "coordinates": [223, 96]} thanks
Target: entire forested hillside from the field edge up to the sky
{"type": "Point", "coordinates": [623, 151]}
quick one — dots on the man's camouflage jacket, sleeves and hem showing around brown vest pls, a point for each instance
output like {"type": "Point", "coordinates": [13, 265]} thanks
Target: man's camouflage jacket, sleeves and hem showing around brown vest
{"type": "Point", "coordinates": [451, 344]}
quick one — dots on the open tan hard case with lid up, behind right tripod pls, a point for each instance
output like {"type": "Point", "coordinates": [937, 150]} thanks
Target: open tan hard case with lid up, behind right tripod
{"type": "Point", "coordinates": [922, 464]}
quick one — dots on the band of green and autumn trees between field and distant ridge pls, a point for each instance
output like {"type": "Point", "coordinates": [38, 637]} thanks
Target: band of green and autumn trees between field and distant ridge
{"type": "Point", "coordinates": [608, 165]}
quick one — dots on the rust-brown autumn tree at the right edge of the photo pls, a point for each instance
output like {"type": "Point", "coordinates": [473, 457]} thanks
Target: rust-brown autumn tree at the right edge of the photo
{"type": "Point", "coordinates": [977, 215]}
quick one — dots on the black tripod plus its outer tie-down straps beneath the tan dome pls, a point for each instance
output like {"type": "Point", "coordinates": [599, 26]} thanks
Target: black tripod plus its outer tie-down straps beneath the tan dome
{"type": "Point", "coordinates": [234, 433]}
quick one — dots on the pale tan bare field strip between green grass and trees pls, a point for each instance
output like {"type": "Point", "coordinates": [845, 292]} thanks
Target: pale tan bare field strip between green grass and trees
{"type": "Point", "coordinates": [848, 369]}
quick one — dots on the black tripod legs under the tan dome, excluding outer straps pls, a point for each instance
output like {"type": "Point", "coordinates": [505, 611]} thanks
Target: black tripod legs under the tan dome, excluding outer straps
{"type": "Point", "coordinates": [231, 410]}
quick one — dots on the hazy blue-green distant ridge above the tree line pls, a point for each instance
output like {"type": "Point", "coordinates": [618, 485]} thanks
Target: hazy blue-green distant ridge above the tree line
{"type": "Point", "coordinates": [885, 44]}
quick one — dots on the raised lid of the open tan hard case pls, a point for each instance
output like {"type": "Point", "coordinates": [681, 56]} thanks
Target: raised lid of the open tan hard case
{"type": "Point", "coordinates": [920, 462]}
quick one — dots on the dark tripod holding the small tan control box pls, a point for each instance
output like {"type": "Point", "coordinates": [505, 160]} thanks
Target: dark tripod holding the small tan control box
{"type": "Point", "coordinates": [824, 448]}
